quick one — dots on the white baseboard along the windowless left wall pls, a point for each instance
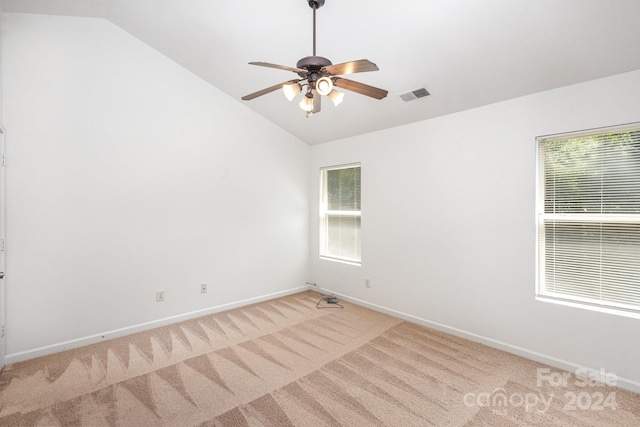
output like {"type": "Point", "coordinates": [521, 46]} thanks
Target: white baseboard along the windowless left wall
{"type": "Point", "coordinates": [117, 333]}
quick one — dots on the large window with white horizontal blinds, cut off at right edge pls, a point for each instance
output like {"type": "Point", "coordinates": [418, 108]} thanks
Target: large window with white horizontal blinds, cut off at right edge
{"type": "Point", "coordinates": [589, 218]}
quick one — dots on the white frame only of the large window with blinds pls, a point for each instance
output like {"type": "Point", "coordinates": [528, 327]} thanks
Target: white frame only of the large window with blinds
{"type": "Point", "coordinates": [541, 291]}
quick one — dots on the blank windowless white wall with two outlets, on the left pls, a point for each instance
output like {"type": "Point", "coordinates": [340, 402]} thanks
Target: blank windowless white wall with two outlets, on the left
{"type": "Point", "coordinates": [129, 174]}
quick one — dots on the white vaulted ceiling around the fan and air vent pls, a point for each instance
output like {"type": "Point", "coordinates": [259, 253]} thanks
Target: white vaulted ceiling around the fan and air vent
{"type": "Point", "coordinates": [467, 53]}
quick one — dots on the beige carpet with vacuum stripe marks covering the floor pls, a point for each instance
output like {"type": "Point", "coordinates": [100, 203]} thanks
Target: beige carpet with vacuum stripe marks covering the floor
{"type": "Point", "coordinates": [285, 363]}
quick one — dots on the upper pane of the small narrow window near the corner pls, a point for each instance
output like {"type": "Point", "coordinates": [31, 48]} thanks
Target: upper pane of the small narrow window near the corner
{"type": "Point", "coordinates": [343, 189]}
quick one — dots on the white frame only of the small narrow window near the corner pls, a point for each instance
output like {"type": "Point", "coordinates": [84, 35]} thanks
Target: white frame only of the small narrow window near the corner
{"type": "Point", "coordinates": [325, 214]}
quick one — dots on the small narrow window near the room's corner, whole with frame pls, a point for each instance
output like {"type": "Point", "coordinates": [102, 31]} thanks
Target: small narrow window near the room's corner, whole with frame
{"type": "Point", "coordinates": [340, 213]}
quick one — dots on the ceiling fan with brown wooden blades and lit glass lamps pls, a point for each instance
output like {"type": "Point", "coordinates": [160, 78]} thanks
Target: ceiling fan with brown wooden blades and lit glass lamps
{"type": "Point", "coordinates": [319, 76]}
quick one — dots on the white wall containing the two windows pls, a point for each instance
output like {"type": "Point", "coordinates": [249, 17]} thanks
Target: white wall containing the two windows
{"type": "Point", "coordinates": [448, 225]}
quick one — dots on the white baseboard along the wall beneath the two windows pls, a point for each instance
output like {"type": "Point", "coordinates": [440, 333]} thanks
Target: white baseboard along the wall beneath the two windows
{"type": "Point", "coordinates": [623, 383]}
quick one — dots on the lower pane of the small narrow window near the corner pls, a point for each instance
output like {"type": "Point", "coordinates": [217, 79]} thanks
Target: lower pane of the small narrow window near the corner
{"type": "Point", "coordinates": [343, 237]}
